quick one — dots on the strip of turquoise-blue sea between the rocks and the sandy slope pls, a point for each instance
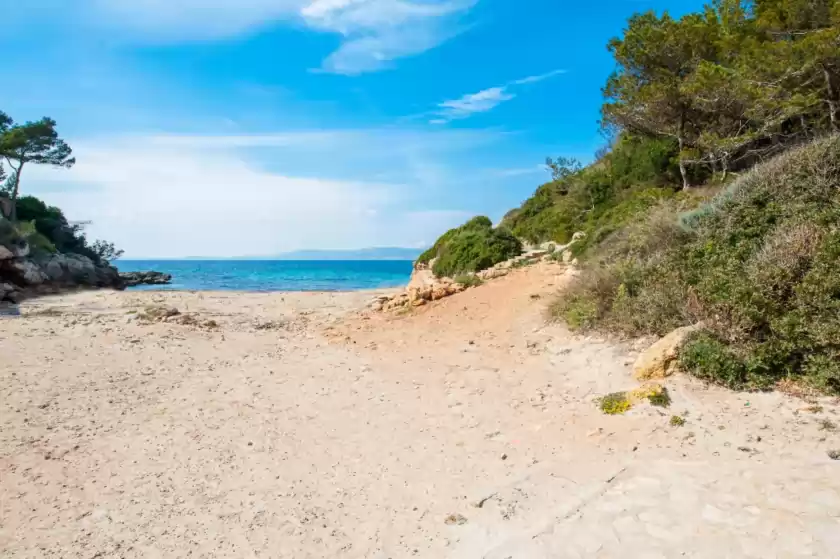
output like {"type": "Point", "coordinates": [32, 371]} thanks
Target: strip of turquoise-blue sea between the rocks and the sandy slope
{"type": "Point", "coordinates": [274, 275]}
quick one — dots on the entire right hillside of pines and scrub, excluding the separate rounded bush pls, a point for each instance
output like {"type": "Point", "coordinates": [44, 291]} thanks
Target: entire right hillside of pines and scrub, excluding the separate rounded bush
{"type": "Point", "coordinates": [717, 199]}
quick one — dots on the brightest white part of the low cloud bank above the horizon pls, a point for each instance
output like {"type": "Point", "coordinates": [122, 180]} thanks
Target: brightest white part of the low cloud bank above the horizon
{"type": "Point", "coordinates": [181, 196]}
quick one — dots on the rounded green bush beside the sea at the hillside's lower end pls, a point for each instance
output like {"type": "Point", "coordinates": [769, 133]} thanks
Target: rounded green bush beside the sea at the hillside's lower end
{"type": "Point", "coordinates": [472, 247]}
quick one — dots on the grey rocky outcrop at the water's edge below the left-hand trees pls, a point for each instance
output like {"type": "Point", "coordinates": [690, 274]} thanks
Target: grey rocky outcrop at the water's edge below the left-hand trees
{"type": "Point", "coordinates": [22, 274]}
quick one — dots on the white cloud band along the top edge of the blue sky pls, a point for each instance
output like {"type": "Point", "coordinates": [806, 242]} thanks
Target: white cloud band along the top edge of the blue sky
{"type": "Point", "coordinates": [375, 32]}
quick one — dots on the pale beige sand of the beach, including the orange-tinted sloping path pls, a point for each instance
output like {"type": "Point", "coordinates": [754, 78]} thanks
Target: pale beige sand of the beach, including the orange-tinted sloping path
{"type": "Point", "coordinates": [464, 429]}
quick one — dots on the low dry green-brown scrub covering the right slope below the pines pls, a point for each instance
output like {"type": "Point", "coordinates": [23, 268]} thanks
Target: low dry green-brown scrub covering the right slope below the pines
{"type": "Point", "coordinates": [759, 264]}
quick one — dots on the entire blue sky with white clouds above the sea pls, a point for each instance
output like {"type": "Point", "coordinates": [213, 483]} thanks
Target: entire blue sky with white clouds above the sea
{"type": "Point", "coordinates": [255, 127]}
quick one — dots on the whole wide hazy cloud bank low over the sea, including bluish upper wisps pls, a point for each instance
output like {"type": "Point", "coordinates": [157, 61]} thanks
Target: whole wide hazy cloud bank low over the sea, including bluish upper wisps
{"type": "Point", "coordinates": [166, 195]}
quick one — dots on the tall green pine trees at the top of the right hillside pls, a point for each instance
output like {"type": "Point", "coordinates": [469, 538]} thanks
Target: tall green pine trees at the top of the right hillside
{"type": "Point", "coordinates": [730, 84]}
